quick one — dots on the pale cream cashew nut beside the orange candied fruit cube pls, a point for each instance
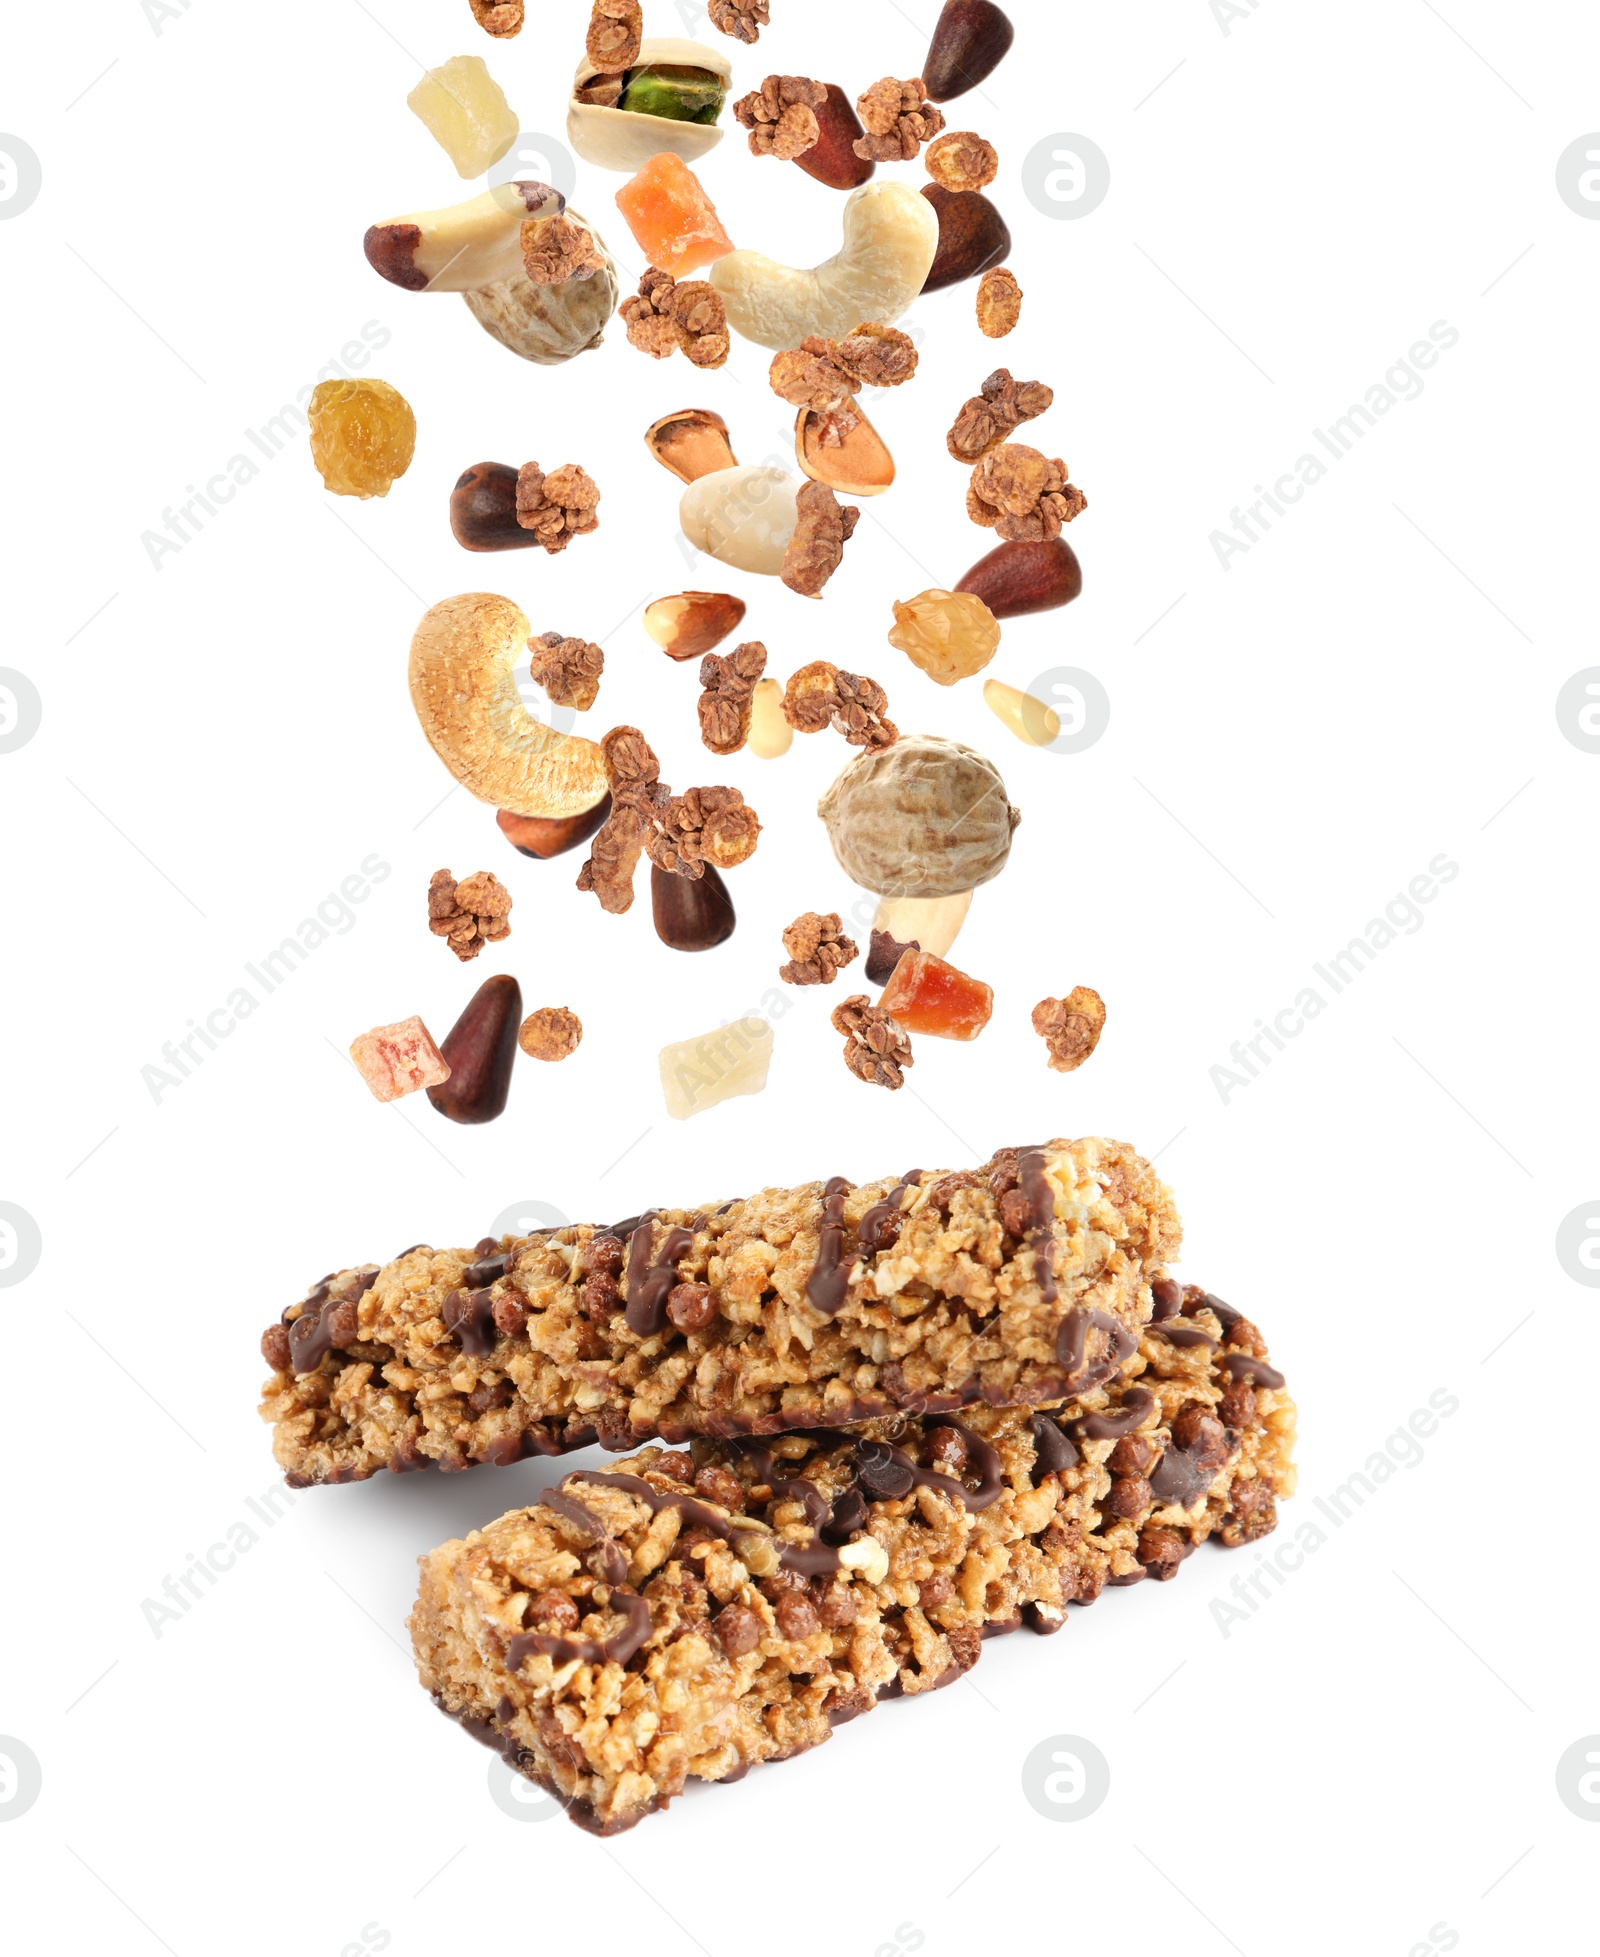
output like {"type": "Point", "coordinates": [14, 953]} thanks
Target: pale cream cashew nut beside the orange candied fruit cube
{"type": "Point", "coordinates": [891, 238]}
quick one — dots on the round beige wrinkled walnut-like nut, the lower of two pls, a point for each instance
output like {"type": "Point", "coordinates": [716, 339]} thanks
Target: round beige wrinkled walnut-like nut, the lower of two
{"type": "Point", "coordinates": [920, 819]}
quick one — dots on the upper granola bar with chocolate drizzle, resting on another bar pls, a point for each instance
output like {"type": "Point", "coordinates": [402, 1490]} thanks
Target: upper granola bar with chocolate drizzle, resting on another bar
{"type": "Point", "coordinates": [821, 1306]}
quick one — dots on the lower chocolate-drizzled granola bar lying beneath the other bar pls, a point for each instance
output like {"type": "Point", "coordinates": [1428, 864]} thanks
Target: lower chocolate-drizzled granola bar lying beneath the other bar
{"type": "Point", "coordinates": [701, 1614]}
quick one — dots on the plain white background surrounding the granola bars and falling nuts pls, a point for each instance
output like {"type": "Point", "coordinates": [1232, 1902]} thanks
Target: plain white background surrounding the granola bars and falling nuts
{"type": "Point", "coordinates": [1364, 1762]}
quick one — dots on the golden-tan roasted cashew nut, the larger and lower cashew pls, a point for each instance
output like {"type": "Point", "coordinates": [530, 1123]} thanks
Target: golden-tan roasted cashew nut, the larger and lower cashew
{"type": "Point", "coordinates": [463, 660]}
